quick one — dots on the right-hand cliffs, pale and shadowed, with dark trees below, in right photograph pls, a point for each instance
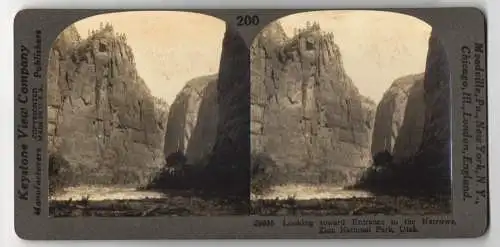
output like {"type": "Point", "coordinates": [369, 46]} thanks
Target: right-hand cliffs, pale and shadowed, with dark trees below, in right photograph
{"type": "Point", "coordinates": [417, 139]}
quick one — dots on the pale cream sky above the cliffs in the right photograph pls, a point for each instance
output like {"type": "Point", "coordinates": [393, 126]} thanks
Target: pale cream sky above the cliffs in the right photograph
{"type": "Point", "coordinates": [377, 47]}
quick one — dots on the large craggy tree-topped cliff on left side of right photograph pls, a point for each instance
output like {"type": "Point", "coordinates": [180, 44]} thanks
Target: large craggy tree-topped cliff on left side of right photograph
{"type": "Point", "coordinates": [306, 113]}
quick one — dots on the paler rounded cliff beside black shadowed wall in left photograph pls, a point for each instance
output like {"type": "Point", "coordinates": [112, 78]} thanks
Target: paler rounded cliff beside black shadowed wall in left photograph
{"type": "Point", "coordinates": [192, 121]}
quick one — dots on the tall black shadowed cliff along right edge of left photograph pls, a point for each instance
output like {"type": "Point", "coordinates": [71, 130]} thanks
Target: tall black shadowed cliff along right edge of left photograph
{"type": "Point", "coordinates": [230, 162]}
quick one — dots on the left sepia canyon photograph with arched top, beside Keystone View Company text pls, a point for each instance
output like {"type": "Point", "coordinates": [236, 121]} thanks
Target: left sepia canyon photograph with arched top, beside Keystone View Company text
{"type": "Point", "coordinates": [146, 117]}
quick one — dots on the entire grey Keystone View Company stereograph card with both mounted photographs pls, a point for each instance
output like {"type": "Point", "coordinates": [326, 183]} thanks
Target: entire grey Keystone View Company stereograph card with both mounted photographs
{"type": "Point", "coordinates": [250, 123]}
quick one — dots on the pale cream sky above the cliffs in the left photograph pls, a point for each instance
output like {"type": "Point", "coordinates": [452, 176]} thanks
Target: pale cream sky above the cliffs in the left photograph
{"type": "Point", "coordinates": [170, 48]}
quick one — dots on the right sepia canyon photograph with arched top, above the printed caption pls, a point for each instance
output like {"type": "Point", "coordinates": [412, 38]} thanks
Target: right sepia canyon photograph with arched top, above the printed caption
{"type": "Point", "coordinates": [349, 116]}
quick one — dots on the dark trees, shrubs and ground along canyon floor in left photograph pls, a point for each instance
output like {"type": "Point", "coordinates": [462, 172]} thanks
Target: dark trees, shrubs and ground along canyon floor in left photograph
{"type": "Point", "coordinates": [194, 190]}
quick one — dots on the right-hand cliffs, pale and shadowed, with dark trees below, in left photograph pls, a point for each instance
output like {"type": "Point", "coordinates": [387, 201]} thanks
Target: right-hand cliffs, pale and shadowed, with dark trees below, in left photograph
{"type": "Point", "coordinates": [208, 127]}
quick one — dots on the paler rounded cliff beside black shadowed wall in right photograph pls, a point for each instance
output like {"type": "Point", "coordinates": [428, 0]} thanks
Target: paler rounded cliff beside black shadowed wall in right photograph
{"type": "Point", "coordinates": [399, 121]}
